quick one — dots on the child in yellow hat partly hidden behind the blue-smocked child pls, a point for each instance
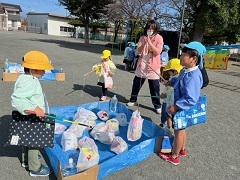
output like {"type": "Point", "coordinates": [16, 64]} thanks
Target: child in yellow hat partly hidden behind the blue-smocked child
{"type": "Point", "coordinates": [173, 68]}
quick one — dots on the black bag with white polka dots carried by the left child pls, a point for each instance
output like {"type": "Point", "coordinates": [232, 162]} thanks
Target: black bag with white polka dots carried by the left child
{"type": "Point", "coordinates": [31, 131]}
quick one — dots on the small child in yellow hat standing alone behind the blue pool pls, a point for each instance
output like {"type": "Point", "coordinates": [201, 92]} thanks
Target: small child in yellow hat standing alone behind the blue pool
{"type": "Point", "coordinates": [106, 70]}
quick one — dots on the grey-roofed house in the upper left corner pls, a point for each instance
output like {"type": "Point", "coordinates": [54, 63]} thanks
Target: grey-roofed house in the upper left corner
{"type": "Point", "coordinates": [10, 18]}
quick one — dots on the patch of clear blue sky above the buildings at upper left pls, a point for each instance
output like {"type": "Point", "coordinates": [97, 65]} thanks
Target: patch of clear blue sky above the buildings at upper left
{"type": "Point", "coordinates": [38, 6]}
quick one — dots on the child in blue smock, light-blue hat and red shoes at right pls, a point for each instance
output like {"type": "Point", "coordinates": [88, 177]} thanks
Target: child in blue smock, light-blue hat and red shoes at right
{"type": "Point", "coordinates": [186, 94]}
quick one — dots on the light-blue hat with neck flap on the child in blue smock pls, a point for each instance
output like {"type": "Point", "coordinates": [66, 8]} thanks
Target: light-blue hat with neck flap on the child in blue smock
{"type": "Point", "coordinates": [199, 48]}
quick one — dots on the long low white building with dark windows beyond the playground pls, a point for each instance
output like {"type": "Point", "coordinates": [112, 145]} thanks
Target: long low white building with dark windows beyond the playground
{"type": "Point", "coordinates": [51, 24]}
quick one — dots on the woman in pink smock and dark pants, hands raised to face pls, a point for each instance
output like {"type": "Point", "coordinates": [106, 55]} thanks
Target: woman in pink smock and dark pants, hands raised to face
{"type": "Point", "coordinates": [148, 66]}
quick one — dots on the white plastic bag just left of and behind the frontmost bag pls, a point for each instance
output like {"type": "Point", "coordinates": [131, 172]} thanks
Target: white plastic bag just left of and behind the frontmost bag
{"type": "Point", "coordinates": [69, 141]}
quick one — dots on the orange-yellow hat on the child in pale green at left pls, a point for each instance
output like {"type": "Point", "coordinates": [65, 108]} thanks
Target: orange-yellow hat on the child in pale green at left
{"type": "Point", "coordinates": [36, 60]}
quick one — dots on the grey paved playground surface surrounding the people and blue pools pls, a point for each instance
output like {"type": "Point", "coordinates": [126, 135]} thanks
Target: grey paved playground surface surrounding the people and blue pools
{"type": "Point", "coordinates": [213, 148]}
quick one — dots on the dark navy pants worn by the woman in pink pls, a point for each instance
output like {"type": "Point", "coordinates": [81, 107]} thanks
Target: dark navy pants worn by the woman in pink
{"type": "Point", "coordinates": [154, 87]}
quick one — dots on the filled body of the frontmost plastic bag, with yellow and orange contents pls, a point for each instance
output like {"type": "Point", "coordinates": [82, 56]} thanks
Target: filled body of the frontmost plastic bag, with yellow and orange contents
{"type": "Point", "coordinates": [87, 158]}
